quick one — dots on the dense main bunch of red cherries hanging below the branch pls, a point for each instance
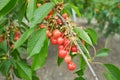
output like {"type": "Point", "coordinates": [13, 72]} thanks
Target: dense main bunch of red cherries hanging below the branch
{"type": "Point", "coordinates": [65, 46]}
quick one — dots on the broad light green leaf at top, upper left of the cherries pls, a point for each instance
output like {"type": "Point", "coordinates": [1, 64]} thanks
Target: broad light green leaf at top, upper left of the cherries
{"type": "Point", "coordinates": [40, 13]}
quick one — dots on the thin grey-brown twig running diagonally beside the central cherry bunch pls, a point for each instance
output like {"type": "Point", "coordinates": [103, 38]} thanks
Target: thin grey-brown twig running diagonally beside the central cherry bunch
{"type": "Point", "coordinates": [80, 50]}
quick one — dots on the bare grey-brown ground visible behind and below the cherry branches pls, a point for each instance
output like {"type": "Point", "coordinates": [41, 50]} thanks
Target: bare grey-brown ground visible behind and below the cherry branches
{"type": "Point", "coordinates": [51, 71]}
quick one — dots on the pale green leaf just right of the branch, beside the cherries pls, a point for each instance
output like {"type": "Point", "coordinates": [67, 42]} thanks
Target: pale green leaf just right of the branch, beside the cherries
{"type": "Point", "coordinates": [83, 35]}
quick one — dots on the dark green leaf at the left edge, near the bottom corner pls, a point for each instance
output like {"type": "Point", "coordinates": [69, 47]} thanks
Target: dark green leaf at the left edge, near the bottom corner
{"type": "Point", "coordinates": [5, 67]}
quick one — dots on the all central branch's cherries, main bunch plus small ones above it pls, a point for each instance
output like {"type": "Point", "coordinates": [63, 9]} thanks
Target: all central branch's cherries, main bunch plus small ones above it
{"type": "Point", "coordinates": [58, 37]}
